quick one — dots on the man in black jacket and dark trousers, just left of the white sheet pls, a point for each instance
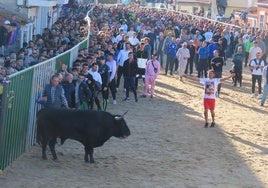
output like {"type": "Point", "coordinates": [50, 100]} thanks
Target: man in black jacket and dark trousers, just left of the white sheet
{"type": "Point", "coordinates": [130, 68]}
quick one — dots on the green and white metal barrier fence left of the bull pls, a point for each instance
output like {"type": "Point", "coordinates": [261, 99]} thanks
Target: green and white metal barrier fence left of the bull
{"type": "Point", "coordinates": [19, 107]}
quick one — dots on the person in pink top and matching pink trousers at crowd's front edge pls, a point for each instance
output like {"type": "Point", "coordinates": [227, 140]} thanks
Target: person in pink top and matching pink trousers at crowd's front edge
{"type": "Point", "coordinates": [151, 72]}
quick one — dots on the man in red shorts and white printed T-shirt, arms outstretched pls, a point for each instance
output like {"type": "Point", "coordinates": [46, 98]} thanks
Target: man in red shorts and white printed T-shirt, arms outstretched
{"type": "Point", "coordinates": [210, 89]}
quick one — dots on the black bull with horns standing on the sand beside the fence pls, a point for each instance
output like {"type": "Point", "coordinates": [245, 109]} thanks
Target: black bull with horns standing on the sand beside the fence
{"type": "Point", "coordinates": [91, 128]}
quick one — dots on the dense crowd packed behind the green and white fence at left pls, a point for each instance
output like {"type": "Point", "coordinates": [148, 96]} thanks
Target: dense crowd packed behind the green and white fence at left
{"type": "Point", "coordinates": [65, 33]}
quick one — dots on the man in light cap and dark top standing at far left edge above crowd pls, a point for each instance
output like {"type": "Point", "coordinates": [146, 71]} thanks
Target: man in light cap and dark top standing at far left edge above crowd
{"type": "Point", "coordinates": [4, 35]}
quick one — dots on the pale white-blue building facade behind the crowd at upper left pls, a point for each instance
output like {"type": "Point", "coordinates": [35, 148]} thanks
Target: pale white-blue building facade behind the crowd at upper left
{"type": "Point", "coordinates": [32, 16]}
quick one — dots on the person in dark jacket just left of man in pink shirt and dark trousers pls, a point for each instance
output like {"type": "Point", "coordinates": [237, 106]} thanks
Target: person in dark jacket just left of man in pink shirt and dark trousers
{"type": "Point", "coordinates": [104, 71]}
